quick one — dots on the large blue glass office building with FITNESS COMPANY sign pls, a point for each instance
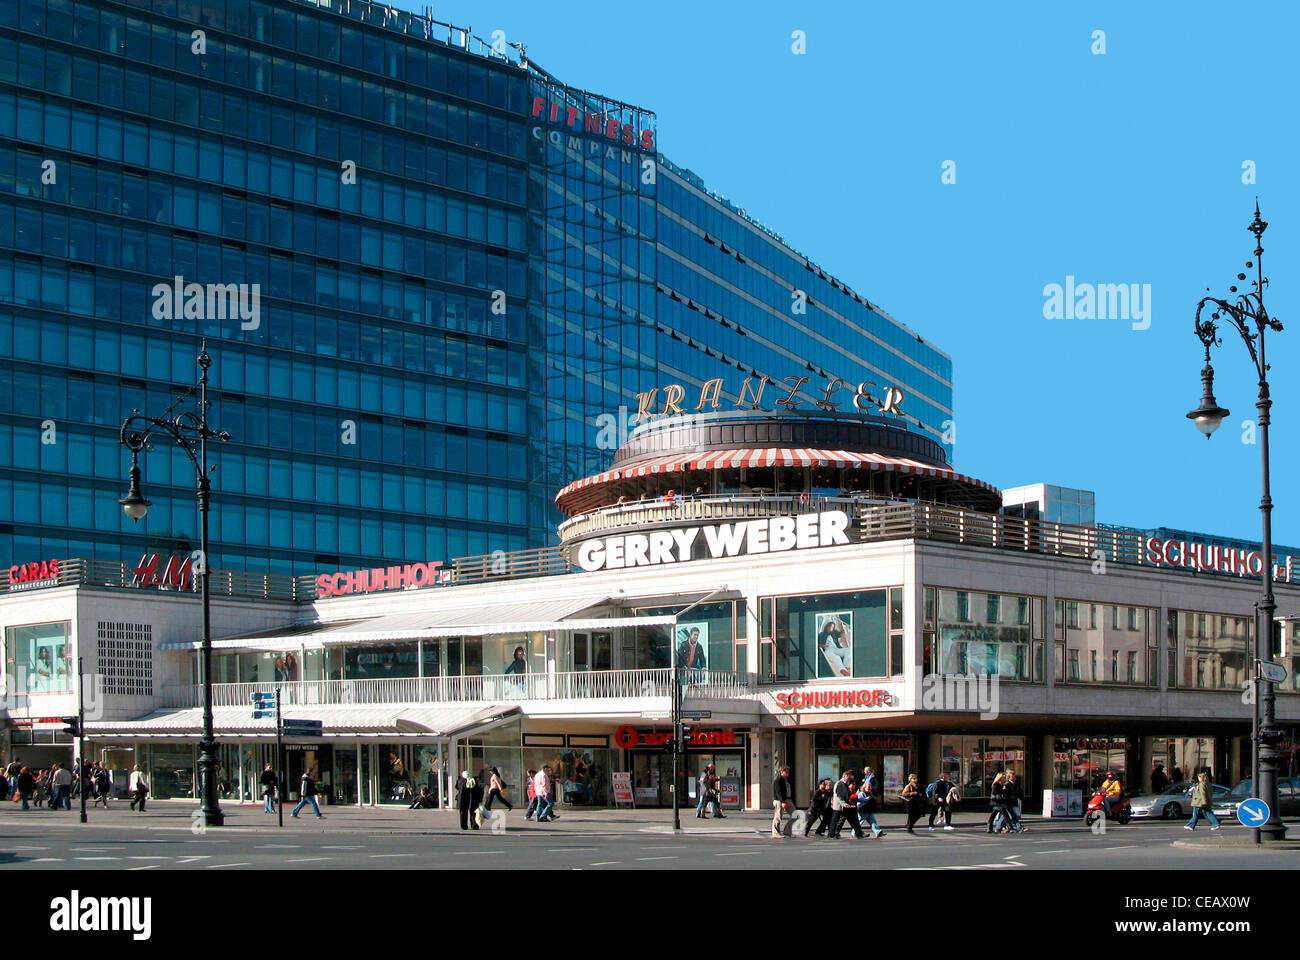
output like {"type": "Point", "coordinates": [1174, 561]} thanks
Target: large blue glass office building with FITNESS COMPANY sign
{"type": "Point", "coordinates": [430, 275]}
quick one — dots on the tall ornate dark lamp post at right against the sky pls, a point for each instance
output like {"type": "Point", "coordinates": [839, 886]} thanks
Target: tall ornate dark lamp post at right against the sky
{"type": "Point", "coordinates": [1249, 317]}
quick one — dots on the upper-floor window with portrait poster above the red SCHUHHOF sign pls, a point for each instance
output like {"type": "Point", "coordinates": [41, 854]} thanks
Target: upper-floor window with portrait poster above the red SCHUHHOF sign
{"type": "Point", "coordinates": [829, 635]}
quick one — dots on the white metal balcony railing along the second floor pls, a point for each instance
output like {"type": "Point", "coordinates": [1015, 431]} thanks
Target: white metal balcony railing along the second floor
{"type": "Point", "coordinates": [495, 689]}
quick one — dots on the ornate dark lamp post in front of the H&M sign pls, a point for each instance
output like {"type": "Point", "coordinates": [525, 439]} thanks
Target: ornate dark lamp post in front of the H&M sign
{"type": "Point", "coordinates": [190, 431]}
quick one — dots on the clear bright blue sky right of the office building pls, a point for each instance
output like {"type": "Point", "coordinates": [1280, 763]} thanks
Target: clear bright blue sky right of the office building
{"type": "Point", "coordinates": [1116, 167]}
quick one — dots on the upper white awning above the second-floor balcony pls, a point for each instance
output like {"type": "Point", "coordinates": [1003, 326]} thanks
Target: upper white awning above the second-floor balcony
{"type": "Point", "coordinates": [479, 620]}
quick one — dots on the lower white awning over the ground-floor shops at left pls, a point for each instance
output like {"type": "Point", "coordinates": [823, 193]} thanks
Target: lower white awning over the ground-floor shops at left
{"type": "Point", "coordinates": [436, 723]}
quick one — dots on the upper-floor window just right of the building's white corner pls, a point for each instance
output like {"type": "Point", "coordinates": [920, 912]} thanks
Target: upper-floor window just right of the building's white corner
{"type": "Point", "coordinates": [972, 634]}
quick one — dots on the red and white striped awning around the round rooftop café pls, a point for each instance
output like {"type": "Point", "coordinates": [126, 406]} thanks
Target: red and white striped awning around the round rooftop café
{"type": "Point", "coordinates": [774, 457]}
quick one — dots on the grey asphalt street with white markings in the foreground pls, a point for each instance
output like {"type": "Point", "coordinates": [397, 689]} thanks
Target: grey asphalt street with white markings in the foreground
{"type": "Point", "coordinates": [398, 840]}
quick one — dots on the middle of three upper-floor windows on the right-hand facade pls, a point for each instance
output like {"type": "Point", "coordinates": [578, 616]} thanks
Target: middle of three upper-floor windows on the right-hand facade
{"type": "Point", "coordinates": [1108, 643]}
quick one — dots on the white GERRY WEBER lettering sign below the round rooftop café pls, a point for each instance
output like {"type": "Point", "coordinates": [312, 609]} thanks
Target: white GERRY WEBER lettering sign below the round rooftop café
{"type": "Point", "coordinates": [772, 535]}
